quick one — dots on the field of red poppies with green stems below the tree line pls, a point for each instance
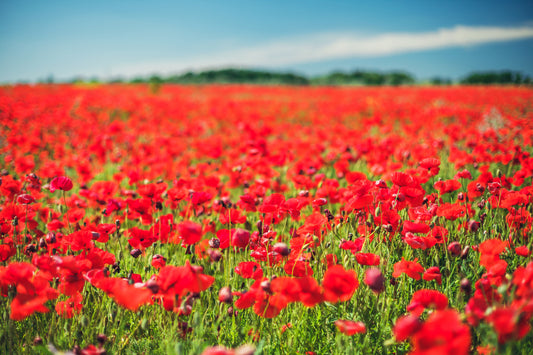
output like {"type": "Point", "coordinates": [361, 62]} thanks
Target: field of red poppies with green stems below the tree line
{"type": "Point", "coordinates": [233, 219]}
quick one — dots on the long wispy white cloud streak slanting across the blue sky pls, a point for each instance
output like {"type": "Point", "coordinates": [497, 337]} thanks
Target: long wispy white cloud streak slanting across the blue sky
{"type": "Point", "coordinates": [329, 46]}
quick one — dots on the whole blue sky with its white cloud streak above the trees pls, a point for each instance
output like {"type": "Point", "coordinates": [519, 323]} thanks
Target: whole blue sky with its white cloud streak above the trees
{"type": "Point", "coordinates": [108, 39]}
